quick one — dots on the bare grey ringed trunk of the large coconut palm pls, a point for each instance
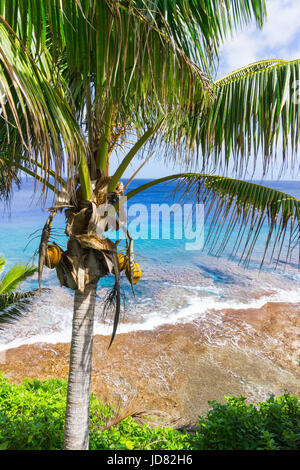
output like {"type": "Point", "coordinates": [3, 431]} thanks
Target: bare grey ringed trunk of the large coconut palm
{"type": "Point", "coordinates": [79, 384]}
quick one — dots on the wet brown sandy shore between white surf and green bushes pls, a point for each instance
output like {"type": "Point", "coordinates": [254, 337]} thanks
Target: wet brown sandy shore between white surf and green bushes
{"type": "Point", "coordinates": [178, 368]}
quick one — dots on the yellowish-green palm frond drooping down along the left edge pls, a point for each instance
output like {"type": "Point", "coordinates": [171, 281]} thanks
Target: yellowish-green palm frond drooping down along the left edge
{"type": "Point", "coordinates": [37, 120]}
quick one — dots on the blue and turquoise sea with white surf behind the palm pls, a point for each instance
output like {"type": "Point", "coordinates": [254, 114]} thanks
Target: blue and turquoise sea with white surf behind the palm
{"type": "Point", "coordinates": [177, 285]}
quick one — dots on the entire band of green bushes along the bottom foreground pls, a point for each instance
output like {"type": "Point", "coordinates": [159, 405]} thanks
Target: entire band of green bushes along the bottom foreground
{"type": "Point", "coordinates": [32, 417]}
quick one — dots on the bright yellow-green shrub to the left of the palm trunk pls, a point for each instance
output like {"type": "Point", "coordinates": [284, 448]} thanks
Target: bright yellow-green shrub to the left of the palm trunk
{"type": "Point", "coordinates": [32, 414]}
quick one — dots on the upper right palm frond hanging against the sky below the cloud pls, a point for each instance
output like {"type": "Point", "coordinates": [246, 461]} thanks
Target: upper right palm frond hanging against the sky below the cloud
{"type": "Point", "coordinates": [255, 111]}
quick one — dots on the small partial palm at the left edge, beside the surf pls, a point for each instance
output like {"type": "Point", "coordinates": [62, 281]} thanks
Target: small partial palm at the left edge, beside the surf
{"type": "Point", "coordinates": [13, 301]}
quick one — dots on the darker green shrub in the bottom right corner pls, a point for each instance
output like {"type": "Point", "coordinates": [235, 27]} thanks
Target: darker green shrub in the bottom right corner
{"type": "Point", "coordinates": [270, 425]}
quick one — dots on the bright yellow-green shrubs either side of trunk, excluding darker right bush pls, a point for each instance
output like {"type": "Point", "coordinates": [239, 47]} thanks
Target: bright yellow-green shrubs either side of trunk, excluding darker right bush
{"type": "Point", "coordinates": [32, 417]}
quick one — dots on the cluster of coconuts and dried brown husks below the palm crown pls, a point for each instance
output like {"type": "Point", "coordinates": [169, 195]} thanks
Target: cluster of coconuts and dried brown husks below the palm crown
{"type": "Point", "coordinates": [89, 254]}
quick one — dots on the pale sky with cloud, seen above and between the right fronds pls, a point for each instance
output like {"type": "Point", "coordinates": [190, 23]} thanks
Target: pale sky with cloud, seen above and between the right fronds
{"type": "Point", "coordinates": [279, 39]}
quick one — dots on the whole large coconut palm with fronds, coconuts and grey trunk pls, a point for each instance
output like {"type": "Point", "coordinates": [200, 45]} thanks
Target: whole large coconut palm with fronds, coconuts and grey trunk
{"type": "Point", "coordinates": [78, 76]}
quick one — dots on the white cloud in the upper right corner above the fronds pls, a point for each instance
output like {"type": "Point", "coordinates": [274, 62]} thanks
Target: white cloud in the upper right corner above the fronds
{"type": "Point", "coordinates": [279, 38]}
